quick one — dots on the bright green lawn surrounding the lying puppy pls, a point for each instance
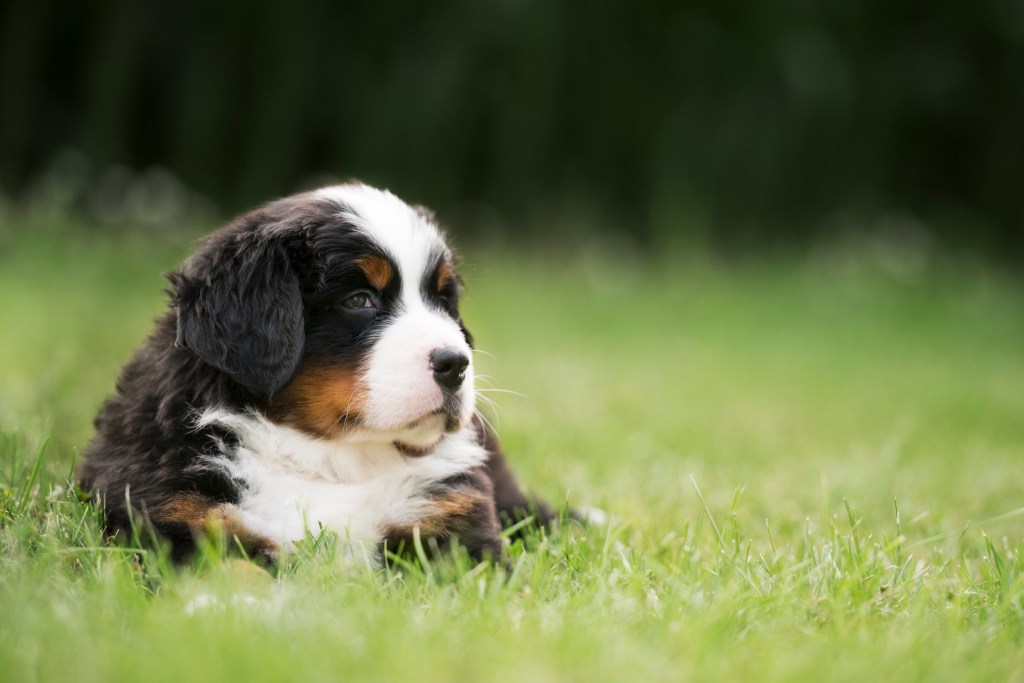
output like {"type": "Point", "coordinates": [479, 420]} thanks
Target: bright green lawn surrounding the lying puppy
{"type": "Point", "coordinates": [814, 472]}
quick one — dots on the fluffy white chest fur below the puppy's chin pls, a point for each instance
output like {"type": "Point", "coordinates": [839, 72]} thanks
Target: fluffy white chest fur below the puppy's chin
{"type": "Point", "coordinates": [294, 483]}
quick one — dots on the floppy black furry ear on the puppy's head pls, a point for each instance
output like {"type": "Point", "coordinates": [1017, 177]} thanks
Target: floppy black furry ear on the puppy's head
{"type": "Point", "coordinates": [240, 310]}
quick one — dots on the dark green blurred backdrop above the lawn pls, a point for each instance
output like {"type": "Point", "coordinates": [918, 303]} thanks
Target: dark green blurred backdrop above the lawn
{"type": "Point", "coordinates": [738, 127]}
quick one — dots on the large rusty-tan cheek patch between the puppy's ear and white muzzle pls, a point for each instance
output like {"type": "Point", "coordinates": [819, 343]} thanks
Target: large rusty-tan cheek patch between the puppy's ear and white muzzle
{"type": "Point", "coordinates": [319, 400]}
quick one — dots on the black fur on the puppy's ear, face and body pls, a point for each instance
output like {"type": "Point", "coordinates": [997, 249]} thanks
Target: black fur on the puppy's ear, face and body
{"type": "Point", "coordinates": [247, 310]}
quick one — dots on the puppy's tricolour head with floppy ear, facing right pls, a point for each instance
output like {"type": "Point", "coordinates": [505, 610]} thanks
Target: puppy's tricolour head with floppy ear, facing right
{"type": "Point", "coordinates": [338, 311]}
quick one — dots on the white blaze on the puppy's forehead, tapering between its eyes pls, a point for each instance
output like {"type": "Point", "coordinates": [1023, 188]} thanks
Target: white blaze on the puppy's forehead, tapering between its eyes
{"type": "Point", "coordinates": [406, 236]}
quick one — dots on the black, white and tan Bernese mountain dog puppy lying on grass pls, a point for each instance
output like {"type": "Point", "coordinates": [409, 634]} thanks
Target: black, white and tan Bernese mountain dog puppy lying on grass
{"type": "Point", "coordinates": [313, 373]}
